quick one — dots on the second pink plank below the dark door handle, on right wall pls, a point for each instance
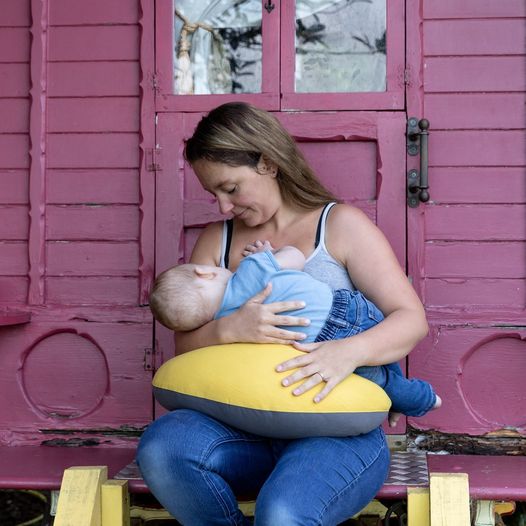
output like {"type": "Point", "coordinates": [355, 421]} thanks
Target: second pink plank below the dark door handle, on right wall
{"type": "Point", "coordinates": [485, 260]}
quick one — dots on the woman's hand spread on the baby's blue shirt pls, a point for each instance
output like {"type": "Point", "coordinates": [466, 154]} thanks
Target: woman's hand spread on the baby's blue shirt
{"type": "Point", "coordinates": [257, 322]}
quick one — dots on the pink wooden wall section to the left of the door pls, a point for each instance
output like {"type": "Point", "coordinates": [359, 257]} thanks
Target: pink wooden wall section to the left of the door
{"type": "Point", "coordinates": [76, 219]}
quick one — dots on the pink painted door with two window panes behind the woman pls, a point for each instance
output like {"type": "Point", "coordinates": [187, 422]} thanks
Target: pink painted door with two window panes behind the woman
{"type": "Point", "coordinates": [359, 155]}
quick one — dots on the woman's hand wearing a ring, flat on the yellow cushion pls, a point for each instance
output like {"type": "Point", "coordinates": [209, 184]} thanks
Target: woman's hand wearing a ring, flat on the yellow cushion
{"type": "Point", "coordinates": [323, 363]}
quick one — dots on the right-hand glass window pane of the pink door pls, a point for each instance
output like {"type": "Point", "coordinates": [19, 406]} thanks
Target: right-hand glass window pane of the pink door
{"type": "Point", "coordinates": [340, 45]}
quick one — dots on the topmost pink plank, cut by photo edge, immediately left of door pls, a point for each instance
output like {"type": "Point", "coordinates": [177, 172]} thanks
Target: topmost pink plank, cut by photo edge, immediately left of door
{"type": "Point", "coordinates": [79, 12]}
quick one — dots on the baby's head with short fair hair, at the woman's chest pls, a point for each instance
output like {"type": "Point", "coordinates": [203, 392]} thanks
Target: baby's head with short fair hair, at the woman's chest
{"type": "Point", "coordinates": [187, 296]}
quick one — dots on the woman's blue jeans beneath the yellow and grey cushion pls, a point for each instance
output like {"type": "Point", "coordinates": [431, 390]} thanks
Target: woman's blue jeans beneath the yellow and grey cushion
{"type": "Point", "coordinates": [195, 465]}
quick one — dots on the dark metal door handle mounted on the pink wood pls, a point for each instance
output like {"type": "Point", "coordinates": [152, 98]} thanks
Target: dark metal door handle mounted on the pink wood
{"type": "Point", "coordinates": [417, 181]}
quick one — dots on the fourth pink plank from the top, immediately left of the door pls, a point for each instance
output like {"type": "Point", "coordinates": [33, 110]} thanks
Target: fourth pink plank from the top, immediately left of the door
{"type": "Point", "coordinates": [115, 114]}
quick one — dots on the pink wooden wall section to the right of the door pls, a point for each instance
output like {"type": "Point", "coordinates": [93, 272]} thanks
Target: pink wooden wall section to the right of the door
{"type": "Point", "coordinates": [466, 250]}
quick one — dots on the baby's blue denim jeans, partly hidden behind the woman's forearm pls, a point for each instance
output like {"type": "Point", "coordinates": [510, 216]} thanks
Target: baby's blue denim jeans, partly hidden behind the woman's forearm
{"type": "Point", "coordinates": [352, 313]}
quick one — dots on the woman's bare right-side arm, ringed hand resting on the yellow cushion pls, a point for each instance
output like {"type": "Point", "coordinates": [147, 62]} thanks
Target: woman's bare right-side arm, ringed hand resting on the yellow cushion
{"type": "Point", "coordinates": [366, 253]}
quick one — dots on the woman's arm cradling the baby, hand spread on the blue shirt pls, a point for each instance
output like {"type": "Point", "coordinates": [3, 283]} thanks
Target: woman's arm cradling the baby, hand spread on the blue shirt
{"type": "Point", "coordinates": [254, 322]}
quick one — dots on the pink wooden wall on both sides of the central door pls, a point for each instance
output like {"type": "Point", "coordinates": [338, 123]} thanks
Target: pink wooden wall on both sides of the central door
{"type": "Point", "coordinates": [77, 209]}
